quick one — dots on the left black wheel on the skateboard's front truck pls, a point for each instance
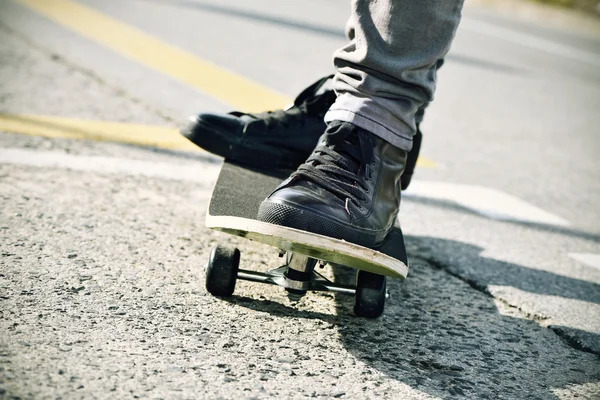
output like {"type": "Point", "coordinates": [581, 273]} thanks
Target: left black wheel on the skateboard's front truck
{"type": "Point", "coordinates": [222, 270]}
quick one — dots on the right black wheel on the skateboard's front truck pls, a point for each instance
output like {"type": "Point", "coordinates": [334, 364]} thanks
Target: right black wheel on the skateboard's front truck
{"type": "Point", "coordinates": [370, 296]}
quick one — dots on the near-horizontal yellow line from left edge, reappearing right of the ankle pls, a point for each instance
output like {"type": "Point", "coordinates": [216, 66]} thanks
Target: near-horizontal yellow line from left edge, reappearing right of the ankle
{"type": "Point", "coordinates": [144, 135]}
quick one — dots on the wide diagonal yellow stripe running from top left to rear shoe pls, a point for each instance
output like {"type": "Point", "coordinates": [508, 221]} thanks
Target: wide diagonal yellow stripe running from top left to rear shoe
{"type": "Point", "coordinates": [230, 88]}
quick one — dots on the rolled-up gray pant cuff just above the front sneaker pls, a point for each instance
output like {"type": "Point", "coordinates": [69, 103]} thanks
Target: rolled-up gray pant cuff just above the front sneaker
{"type": "Point", "coordinates": [400, 139]}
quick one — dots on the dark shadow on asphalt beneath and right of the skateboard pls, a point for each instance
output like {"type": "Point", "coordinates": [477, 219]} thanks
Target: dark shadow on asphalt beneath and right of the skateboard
{"type": "Point", "coordinates": [441, 337]}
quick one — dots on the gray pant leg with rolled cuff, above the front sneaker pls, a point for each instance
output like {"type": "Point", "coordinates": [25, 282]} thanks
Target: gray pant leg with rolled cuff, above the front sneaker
{"type": "Point", "coordinates": [388, 70]}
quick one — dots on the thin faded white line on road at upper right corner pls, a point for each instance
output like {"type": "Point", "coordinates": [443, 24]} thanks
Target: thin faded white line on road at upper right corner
{"type": "Point", "coordinates": [531, 41]}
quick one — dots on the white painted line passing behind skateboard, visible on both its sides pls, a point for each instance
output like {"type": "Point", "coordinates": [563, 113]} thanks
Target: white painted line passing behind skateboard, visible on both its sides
{"type": "Point", "coordinates": [485, 201]}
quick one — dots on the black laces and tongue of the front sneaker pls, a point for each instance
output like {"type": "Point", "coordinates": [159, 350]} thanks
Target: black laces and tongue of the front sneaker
{"type": "Point", "coordinates": [336, 166]}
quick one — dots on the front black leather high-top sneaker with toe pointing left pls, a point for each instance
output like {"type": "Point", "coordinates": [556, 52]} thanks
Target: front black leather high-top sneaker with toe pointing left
{"type": "Point", "coordinates": [349, 188]}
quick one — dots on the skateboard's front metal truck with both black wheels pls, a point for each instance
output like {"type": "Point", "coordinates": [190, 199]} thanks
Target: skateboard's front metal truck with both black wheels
{"type": "Point", "coordinates": [297, 276]}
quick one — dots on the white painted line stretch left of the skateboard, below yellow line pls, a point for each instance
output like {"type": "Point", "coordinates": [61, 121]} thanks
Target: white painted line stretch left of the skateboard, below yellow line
{"type": "Point", "coordinates": [189, 171]}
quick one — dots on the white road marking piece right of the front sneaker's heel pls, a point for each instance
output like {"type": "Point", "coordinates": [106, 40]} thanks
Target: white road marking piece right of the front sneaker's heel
{"type": "Point", "coordinates": [489, 202]}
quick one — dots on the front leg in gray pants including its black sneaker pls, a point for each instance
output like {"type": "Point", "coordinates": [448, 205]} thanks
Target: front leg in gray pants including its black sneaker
{"type": "Point", "coordinates": [349, 188]}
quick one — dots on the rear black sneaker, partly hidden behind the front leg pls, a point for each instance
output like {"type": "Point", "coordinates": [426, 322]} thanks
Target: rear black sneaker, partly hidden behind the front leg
{"type": "Point", "coordinates": [275, 139]}
